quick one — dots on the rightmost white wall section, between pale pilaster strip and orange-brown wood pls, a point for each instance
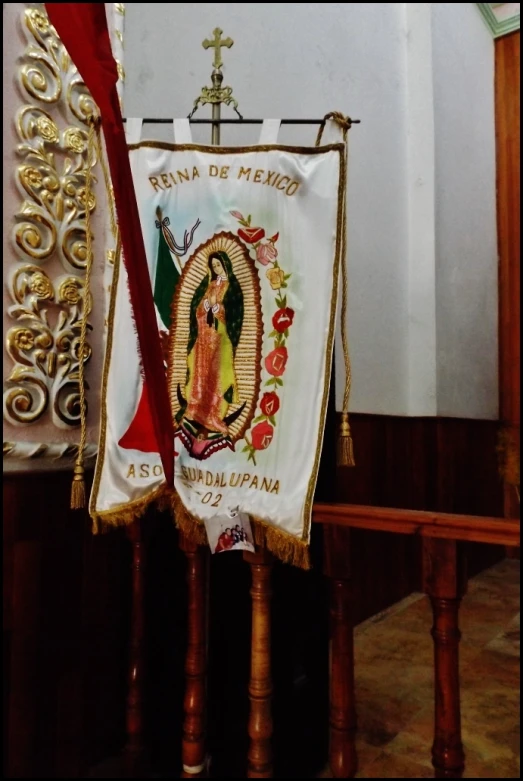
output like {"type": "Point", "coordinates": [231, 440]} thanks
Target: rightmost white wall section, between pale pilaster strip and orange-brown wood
{"type": "Point", "coordinates": [466, 243]}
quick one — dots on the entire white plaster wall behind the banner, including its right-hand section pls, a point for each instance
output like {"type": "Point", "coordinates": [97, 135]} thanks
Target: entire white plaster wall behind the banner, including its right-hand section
{"type": "Point", "coordinates": [422, 232]}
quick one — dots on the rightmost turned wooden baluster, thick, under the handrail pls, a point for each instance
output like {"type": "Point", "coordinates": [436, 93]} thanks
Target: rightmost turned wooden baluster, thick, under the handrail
{"type": "Point", "coordinates": [444, 582]}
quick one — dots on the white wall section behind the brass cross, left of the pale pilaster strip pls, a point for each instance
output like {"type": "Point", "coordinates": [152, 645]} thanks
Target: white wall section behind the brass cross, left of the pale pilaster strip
{"type": "Point", "coordinates": [303, 60]}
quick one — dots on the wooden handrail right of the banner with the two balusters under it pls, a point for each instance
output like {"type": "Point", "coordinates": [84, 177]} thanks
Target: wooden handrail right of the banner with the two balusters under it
{"type": "Point", "coordinates": [444, 581]}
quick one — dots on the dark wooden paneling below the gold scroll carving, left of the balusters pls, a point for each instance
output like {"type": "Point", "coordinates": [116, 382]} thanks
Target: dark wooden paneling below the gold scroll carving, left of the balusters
{"type": "Point", "coordinates": [63, 702]}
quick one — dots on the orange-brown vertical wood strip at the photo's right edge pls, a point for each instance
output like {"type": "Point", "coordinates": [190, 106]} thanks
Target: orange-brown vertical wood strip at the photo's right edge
{"type": "Point", "coordinates": [508, 152]}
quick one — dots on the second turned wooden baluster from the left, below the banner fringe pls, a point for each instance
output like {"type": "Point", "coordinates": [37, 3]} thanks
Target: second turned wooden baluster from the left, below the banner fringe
{"type": "Point", "coordinates": [193, 741]}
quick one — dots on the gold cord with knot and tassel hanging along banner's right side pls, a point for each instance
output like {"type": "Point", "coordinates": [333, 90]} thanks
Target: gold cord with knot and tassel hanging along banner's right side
{"type": "Point", "coordinates": [345, 448]}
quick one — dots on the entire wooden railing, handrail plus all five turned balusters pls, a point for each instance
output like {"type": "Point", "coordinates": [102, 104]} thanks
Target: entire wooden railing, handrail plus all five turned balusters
{"type": "Point", "coordinates": [444, 581]}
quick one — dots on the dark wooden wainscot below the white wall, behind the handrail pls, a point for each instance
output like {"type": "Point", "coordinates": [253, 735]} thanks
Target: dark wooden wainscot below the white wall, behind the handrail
{"type": "Point", "coordinates": [440, 464]}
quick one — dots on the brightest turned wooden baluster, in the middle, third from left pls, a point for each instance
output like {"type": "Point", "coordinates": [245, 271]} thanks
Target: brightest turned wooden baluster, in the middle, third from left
{"type": "Point", "coordinates": [260, 683]}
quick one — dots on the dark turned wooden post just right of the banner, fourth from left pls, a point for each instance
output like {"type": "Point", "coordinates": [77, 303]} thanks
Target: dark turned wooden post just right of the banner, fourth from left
{"type": "Point", "coordinates": [343, 759]}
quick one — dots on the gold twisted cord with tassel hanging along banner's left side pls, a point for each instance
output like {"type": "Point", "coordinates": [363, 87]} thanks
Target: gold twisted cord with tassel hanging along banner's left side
{"type": "Point", "coordinates": [78, 499]}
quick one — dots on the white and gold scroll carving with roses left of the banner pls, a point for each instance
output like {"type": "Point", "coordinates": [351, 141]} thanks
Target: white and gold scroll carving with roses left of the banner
{"type": "Point", "coordinates": [49, 224]}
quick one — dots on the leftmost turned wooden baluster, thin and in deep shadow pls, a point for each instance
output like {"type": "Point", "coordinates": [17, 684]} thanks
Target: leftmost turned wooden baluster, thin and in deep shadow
{"type": "Point", "coordinates": [134, 749]}
